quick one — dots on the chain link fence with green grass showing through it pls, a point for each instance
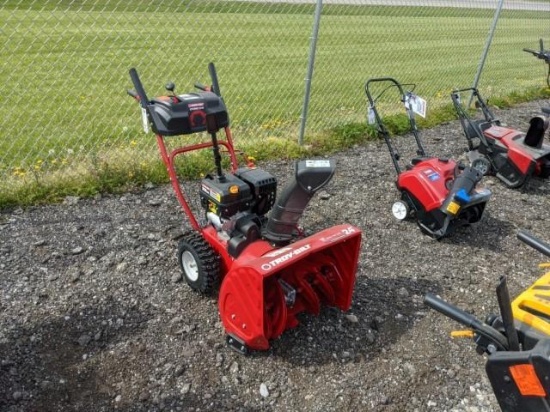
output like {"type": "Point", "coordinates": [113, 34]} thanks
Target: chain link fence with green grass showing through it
{"type": "Point", "coordinates": [64, 69]}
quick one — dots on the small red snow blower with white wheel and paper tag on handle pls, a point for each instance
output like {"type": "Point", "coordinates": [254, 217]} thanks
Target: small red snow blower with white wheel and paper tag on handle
{"type": "Point", "coordinates": [439, 193]}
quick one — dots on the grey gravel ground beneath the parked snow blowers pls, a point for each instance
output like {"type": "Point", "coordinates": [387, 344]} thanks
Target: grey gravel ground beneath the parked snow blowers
{"type": "Point", "coordinates": [94, 315]}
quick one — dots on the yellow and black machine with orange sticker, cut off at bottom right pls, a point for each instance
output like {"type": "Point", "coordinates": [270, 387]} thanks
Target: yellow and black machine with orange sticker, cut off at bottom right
{"type": "Point", "coordinates": [517, 342]}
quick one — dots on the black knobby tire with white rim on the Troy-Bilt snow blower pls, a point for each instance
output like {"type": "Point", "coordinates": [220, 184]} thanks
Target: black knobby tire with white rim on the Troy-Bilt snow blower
{"type": "Point", "coordinates": [199, 263]}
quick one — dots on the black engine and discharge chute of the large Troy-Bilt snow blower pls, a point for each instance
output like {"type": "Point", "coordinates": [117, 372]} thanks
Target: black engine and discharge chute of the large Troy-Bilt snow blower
{"type": "Point", "coordinates": [237, 204]}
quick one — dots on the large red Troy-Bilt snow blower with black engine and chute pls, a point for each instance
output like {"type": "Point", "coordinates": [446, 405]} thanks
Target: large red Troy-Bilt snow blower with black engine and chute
{"type": "Point", "coordinates": [267, 270]}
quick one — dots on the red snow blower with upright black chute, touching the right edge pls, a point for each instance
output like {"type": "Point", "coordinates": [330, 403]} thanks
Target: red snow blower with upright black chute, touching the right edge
{"type": "Point", "coordinates": [514, 157]}
